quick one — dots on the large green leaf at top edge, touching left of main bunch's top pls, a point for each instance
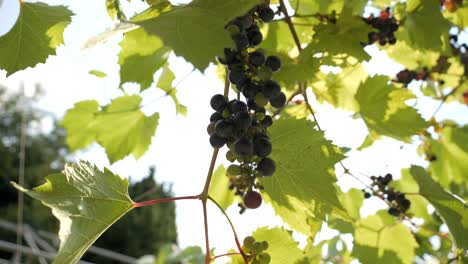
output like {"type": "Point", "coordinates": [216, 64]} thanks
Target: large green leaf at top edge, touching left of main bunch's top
{"type": "Point", "coordinates": [196, 31]}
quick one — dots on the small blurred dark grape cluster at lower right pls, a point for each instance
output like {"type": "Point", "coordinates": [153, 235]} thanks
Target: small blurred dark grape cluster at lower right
{"type": "Point", "coordinates": [397, 200]}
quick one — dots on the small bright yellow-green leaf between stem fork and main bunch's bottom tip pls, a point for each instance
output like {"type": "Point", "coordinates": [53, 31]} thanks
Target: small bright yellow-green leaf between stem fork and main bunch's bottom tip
{"type": "Point", "coordinates": [219, 188]}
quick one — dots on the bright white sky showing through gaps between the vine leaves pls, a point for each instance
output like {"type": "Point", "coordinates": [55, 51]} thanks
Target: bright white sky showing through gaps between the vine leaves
{"type": "Point", "coordinates": [180, 150]}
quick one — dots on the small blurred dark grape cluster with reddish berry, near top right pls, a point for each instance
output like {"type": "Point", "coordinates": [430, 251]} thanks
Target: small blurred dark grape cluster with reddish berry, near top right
{"type": "Point", "coordinates": [386, 26]}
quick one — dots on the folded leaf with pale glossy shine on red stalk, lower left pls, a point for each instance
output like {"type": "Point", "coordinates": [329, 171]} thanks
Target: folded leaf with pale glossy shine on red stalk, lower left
{"type": "Point", "coordinates": [86, 201]}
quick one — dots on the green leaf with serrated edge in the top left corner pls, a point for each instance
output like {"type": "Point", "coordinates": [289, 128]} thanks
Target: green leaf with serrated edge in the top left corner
{"type": "Point", "coordinates": [36, 34]}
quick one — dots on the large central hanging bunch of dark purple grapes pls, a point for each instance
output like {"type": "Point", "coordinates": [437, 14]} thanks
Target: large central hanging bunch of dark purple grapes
{"type": "Point", "coordinates": [242, 124]}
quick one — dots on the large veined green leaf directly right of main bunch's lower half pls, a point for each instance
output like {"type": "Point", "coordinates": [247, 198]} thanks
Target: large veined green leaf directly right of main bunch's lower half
{"type": "Point", "coordinates": [302, 188]}
